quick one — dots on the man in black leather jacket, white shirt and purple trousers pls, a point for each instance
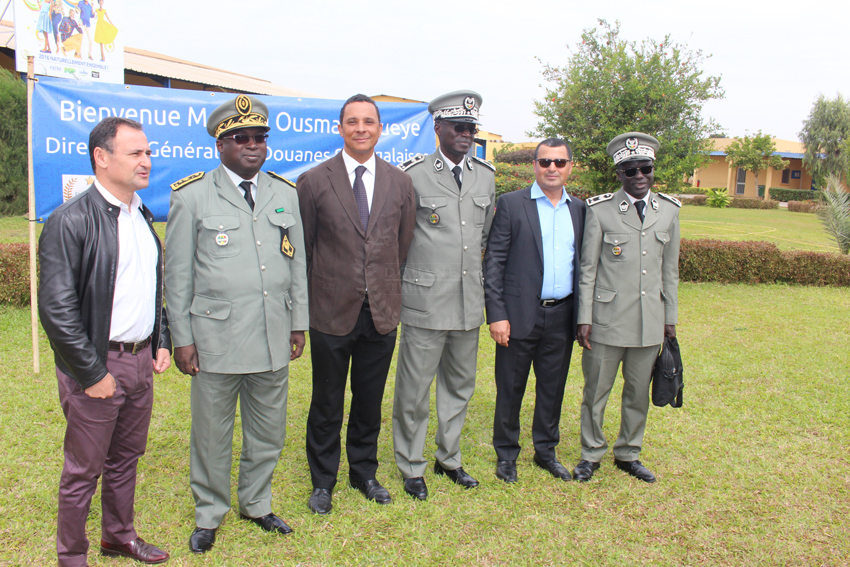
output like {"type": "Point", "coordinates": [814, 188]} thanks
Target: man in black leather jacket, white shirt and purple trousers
{"type": "Point", "coordinates": [100, 303]}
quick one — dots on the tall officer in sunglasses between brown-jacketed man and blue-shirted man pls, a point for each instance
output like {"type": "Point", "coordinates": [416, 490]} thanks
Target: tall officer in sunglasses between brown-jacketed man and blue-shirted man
{"type": "Point", "coordinates": [442, 294]}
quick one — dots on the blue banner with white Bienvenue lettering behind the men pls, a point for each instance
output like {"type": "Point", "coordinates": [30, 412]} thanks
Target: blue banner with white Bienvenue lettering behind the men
{"type": "Point", "coordinates": [304, 132]}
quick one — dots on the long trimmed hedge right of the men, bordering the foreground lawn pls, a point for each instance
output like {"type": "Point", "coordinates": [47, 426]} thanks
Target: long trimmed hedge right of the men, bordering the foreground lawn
{"type": "Point", "coordinates": [754, 262]}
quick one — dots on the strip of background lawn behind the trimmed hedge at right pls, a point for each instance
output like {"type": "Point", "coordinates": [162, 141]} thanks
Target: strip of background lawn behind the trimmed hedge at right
{"type": "Point", "coordinates": [789, 231]}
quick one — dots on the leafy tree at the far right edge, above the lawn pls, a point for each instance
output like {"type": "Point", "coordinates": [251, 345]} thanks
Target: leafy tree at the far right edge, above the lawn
{"type": "Point", "coordinates": [826, 135]}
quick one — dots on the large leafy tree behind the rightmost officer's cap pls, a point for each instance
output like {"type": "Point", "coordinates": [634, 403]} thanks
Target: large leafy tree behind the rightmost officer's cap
{"type": "Point", "coordinates": [611, 86]}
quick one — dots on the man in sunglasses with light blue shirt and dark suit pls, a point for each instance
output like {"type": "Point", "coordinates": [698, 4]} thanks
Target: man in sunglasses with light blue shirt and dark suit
{"type": "Point", "coordinates": [531, 268]}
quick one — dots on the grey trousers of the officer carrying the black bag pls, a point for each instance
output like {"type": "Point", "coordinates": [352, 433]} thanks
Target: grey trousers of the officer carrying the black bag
{"type": "Point", "coordinates": [600, 365]}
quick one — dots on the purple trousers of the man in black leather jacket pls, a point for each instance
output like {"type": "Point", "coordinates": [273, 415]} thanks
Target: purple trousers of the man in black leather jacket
{"type": "Point", "coordinates": [103, 437]}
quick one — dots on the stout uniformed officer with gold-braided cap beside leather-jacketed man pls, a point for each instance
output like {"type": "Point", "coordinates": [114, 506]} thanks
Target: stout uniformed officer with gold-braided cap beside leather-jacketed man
{"type": "Point", "coordinates": [236, 281]}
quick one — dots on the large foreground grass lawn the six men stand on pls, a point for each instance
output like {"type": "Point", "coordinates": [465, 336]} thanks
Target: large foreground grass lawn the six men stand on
{"type": "Point", "coordinates": [753, 471]}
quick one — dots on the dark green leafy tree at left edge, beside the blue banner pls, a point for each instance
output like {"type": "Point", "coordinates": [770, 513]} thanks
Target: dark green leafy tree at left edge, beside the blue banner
{"type": "Point", "coordinates": [13, 144]}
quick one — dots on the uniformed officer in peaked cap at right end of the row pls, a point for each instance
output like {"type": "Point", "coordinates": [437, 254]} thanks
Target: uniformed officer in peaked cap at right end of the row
{"type": "Point", "coordinates": [628, 298]}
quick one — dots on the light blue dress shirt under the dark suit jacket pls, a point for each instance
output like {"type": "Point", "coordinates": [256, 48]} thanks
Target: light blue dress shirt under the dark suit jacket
{"type": "Point", "coordinates": [559, 244]}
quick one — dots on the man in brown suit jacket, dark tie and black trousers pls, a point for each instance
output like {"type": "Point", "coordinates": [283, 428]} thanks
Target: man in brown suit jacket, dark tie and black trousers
{"type": "Point", "coordinates": [358, 214]}
